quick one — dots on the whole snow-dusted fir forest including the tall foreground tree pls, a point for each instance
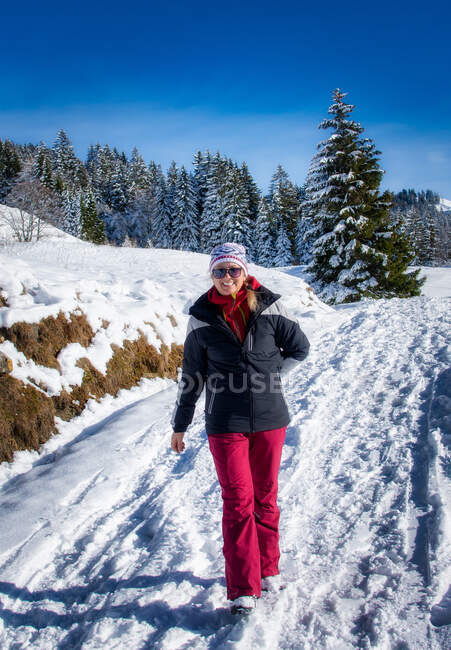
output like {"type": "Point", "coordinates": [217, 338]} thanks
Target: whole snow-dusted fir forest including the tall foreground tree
{"type": "Point", "coordinates": [355, 240]}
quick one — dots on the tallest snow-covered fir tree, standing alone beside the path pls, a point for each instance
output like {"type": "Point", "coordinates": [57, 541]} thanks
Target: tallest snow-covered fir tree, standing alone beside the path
{"type": "Point", "coordinates": [355, 252]}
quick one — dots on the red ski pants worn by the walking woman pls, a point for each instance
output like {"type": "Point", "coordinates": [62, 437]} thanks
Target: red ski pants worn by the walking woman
{"type": "Point", "coordinates": [247, 465]}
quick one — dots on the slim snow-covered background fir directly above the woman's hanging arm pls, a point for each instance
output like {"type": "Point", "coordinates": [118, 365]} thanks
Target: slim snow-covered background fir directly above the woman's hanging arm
{"type": "Point", "coordinates": [186, 220]}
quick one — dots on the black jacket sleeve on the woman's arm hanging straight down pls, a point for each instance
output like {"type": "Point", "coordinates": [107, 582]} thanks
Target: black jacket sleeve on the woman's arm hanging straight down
{"type": "Point", "coordinates": [192, 378]}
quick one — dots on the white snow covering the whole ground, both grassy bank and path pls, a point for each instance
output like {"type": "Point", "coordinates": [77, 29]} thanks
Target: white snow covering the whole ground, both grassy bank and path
{"type": "Point", "coordinates": [108, 539]}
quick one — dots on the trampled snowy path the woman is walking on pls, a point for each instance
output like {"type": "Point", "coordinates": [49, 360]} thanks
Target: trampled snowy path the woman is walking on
{"type": "Point", "coordinates": [112, 541]}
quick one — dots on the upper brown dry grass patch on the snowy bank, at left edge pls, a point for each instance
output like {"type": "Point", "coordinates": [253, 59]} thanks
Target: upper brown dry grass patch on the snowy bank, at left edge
{"type": "Point", "coordinates": [43, 341]}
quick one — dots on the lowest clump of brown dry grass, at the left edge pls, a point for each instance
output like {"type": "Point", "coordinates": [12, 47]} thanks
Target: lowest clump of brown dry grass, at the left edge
{"type": "Point", "coordinates": [26, 417]}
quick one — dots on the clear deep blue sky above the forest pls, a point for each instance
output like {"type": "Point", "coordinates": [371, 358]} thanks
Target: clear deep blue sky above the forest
{"type": "Point", "coordinates": [252, 79]}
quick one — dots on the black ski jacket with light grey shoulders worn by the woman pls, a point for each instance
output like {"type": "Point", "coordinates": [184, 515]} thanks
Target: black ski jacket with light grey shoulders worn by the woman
{"type": "Point", "coordinates": [242, 380]}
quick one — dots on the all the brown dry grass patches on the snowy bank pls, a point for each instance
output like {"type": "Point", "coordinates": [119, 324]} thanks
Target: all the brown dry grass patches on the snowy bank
{"type": "Point", "coordinates": [27, 414]}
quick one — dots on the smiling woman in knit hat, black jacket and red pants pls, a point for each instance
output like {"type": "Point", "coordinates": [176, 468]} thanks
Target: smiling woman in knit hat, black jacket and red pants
{"type": "Point", "coordinates": [239, 338]}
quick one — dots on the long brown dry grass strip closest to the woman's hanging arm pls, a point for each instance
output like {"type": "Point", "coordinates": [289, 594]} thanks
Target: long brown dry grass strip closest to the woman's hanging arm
{"type": "Point", "coordinates": [128, 365]}
